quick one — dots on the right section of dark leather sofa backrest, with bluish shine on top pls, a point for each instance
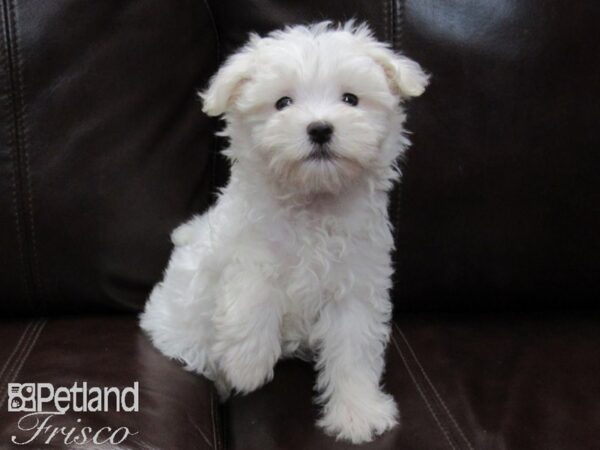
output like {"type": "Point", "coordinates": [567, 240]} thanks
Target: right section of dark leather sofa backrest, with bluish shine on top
{"type": "Point", "coordinates": [500, 204]}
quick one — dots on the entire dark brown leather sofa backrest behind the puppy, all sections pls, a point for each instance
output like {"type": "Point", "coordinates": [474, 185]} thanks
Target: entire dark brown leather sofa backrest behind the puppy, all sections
{"type": "Point", "coordinates": [104, 148]}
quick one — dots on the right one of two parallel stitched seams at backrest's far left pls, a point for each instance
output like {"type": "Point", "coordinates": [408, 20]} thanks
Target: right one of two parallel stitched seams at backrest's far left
{"type": "Point", "coordinates": [21, 117]}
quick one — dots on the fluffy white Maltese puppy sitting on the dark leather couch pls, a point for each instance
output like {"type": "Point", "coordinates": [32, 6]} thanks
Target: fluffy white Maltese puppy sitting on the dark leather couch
{"type": "Point", "coordinates": [294, 258]}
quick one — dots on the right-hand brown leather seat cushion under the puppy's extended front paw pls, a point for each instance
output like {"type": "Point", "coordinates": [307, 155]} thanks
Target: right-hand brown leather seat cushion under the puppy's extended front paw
{"type": "Point", "coordinates": [462, 382]}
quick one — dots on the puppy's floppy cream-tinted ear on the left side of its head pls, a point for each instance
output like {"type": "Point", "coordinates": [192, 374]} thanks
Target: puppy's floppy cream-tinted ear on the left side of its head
{"type": "Point", "coordinates": [226, 83]}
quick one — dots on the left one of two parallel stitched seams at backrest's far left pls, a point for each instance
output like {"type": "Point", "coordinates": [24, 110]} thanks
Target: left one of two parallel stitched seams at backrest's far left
{"type": "Point", "coordinates": [7, 60]}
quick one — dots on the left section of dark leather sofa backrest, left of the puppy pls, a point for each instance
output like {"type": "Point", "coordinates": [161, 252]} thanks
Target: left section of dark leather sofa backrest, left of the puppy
{"type": "Point", "coordinates": [103, 147]}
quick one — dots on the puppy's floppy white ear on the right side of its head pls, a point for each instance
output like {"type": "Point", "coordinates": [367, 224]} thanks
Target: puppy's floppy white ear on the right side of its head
{"type": "Point", "coordinates": [405, 76]}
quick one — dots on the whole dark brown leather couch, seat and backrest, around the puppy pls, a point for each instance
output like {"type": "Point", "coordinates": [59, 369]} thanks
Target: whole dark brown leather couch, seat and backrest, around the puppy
{"type": "Point", "coordinates": [104, 149]}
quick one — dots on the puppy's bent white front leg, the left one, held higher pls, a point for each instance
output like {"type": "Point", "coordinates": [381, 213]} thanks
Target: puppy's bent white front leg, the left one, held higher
{"type": "Point", "coordinates": [247, 324]}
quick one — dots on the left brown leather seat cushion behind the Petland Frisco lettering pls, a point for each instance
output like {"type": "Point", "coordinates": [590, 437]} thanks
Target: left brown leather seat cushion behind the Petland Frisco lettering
{"type": "Point", "coordinates": [177, 409]}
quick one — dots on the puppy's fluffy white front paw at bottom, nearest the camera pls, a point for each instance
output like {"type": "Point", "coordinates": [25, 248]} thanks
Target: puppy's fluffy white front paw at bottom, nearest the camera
{"type": "Point", "coordinates": [357, 419]}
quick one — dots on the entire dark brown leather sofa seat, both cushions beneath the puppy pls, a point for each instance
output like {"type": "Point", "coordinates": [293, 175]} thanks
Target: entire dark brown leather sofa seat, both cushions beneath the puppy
{"type": "Point", "coordinates": [472, 382]}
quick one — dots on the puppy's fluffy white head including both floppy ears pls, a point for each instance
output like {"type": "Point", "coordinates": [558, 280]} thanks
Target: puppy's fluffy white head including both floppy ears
{"type": "Point", "coordinates": [316, 107]}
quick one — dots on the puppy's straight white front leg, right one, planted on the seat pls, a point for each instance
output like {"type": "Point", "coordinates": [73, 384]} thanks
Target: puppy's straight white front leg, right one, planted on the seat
{"type": "Point", "coordinates": [353, 334]}
